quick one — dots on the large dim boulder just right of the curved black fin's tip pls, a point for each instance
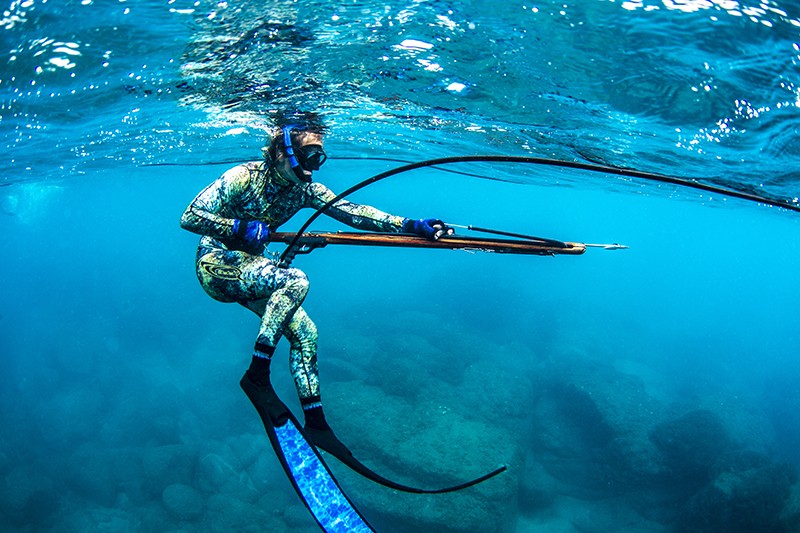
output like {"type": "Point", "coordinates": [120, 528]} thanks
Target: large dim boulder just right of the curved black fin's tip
{"type": "Point", "coordinates": [590, 430]}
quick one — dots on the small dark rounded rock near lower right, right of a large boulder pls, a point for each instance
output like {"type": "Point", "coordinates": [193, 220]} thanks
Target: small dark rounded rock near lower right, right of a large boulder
{"type": "Point", "coordinates": [691, 444]}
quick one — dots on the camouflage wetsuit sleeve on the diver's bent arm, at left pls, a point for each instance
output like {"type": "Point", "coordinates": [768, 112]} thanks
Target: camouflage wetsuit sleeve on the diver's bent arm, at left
{"type": "Point", "coordinates": [209, 213]}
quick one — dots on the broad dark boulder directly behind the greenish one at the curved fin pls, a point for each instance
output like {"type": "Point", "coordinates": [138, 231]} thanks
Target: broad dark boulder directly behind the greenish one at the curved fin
{"type": "Point", "coordinates": [457, 367]}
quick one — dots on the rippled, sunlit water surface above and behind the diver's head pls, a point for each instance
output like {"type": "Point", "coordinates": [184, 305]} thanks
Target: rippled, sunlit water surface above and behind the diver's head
{"type": "Point", "coordinates": [697, 88]}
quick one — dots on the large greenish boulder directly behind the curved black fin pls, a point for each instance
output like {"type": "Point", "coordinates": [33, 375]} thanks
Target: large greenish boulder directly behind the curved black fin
{"type": "Point", "coordinates": [424, 444]}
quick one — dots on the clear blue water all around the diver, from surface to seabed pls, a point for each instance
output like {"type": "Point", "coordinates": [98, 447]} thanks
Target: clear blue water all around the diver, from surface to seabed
{"type": "Point", "coordinates": [649, 389]}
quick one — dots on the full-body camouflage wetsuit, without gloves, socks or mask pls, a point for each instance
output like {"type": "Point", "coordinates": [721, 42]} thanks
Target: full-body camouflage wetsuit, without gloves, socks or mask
{"type": "Point", "coordinates": [255, 191]}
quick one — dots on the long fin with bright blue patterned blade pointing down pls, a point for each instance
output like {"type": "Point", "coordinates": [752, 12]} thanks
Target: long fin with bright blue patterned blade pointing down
{"type": "Point", "coordinates": [303, 464]}
